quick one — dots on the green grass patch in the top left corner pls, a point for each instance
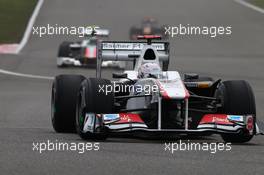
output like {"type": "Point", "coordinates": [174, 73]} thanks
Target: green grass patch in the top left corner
{"type": "Point", "coordinates": [14, 16]}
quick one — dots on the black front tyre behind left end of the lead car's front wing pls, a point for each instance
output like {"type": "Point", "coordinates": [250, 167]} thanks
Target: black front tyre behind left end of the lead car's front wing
{"type": "Point", "coordinates": [94, 101]}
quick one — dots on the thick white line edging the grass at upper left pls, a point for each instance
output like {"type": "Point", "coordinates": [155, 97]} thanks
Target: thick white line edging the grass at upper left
{"type": "Point", "coordinates": [29, 27]}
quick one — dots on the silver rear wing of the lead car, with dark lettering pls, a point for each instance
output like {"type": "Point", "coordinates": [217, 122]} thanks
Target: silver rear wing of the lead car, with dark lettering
{"type": "Point", "coordinates": [129, 51]}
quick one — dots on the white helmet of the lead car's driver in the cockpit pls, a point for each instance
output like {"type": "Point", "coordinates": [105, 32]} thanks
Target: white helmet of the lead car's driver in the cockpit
{"type": "Point", "coordinates": [149, 70]}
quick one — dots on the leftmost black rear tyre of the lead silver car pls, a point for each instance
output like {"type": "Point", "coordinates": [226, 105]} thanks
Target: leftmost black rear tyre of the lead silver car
{"type": "Point", "coordinates": [63, 102]}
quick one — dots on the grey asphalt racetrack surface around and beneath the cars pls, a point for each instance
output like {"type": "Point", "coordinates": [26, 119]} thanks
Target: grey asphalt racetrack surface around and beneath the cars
{"type": "Point", "coordinates": [25, 102]}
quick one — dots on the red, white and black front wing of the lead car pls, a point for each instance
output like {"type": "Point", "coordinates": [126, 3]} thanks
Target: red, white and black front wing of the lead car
{"type": "Point", "coordinates": [210, 123]}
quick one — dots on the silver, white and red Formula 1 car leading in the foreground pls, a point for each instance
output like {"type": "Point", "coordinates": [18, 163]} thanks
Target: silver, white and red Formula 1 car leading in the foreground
{"type": "Point", "coordinates": [150, 98]}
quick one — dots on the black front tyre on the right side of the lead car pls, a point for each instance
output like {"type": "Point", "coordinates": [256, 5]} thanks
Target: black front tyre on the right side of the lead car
{"type": "Point", "coordinates": [237, 99]}
